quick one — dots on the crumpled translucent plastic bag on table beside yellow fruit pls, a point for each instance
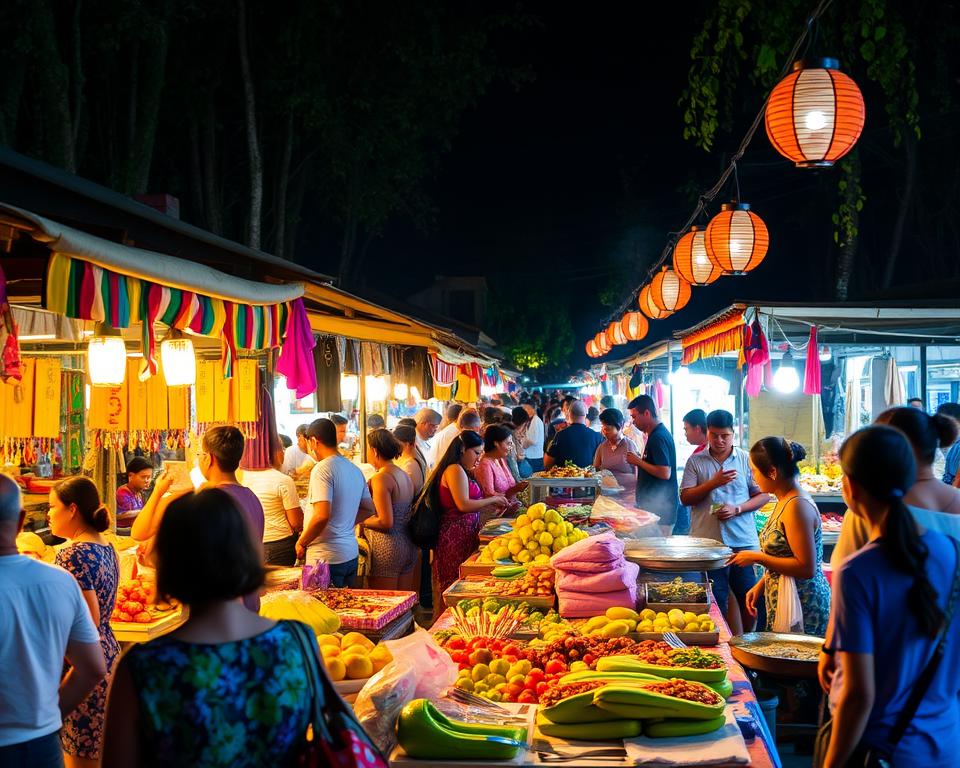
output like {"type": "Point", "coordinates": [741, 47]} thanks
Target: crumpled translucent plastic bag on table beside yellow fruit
{"type": "Point", "coordinates": [420, 669]}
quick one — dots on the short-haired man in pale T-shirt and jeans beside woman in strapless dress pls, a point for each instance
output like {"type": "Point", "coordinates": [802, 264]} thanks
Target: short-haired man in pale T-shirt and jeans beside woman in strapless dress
{"type": "Point", "coordinates": [338, 500]}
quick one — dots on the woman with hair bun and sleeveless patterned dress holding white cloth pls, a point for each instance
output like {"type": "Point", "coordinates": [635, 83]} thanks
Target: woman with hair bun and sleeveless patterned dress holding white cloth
{"type": "Point", "coordinates": [791, 542]}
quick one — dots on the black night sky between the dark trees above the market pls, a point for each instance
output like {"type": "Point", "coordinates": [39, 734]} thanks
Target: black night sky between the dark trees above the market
{"type": "Point", "coordinates": [534, 185]}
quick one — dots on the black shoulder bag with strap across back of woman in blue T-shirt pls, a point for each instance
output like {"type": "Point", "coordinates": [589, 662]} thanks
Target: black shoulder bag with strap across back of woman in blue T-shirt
{"type": "Point", "coordinates": [874, 757]}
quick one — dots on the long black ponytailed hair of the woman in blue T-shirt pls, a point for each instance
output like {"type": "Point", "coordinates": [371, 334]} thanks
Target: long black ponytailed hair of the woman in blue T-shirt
{"type": "Point", "coordinates": [881, 461]}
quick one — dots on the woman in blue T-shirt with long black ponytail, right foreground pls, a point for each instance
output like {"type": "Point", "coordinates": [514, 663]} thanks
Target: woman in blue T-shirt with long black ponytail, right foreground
{"type": "Point", "coordinates": [888, 615]}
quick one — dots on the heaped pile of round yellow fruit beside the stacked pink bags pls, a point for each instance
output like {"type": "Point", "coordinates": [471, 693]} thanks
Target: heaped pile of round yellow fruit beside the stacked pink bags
{"type": "Point", "coordinates": [536, 535]}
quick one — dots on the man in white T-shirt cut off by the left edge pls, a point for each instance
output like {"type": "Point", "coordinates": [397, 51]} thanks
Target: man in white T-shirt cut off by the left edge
{"type": "Point", "coordinates": [43, 618]}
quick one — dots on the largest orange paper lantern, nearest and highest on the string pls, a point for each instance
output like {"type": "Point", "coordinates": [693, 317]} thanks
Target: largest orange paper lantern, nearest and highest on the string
{"type": "Point", "coordinates": [815, 114]}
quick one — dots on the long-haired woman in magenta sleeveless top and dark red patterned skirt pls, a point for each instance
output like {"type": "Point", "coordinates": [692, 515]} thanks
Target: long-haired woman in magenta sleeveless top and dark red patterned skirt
{"type": "Point", "coordinates": [461, 500]}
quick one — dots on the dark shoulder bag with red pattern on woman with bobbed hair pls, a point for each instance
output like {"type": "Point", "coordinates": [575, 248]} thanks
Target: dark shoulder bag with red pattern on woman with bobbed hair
{"type": "Point", "coordinates": [336, 738]}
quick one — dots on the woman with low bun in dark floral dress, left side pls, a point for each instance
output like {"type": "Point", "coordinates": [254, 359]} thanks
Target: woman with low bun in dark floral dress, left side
{"type": "Point", "coordinates": [76, 514]}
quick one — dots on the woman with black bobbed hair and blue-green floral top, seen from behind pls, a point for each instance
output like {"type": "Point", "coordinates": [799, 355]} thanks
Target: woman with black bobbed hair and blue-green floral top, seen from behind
{"type": "Point", "coordinates": [225, 688]}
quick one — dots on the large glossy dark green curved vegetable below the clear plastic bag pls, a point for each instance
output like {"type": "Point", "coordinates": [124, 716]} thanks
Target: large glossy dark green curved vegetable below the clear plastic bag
{"type": "Point", "coordinates": [425, 738]}
